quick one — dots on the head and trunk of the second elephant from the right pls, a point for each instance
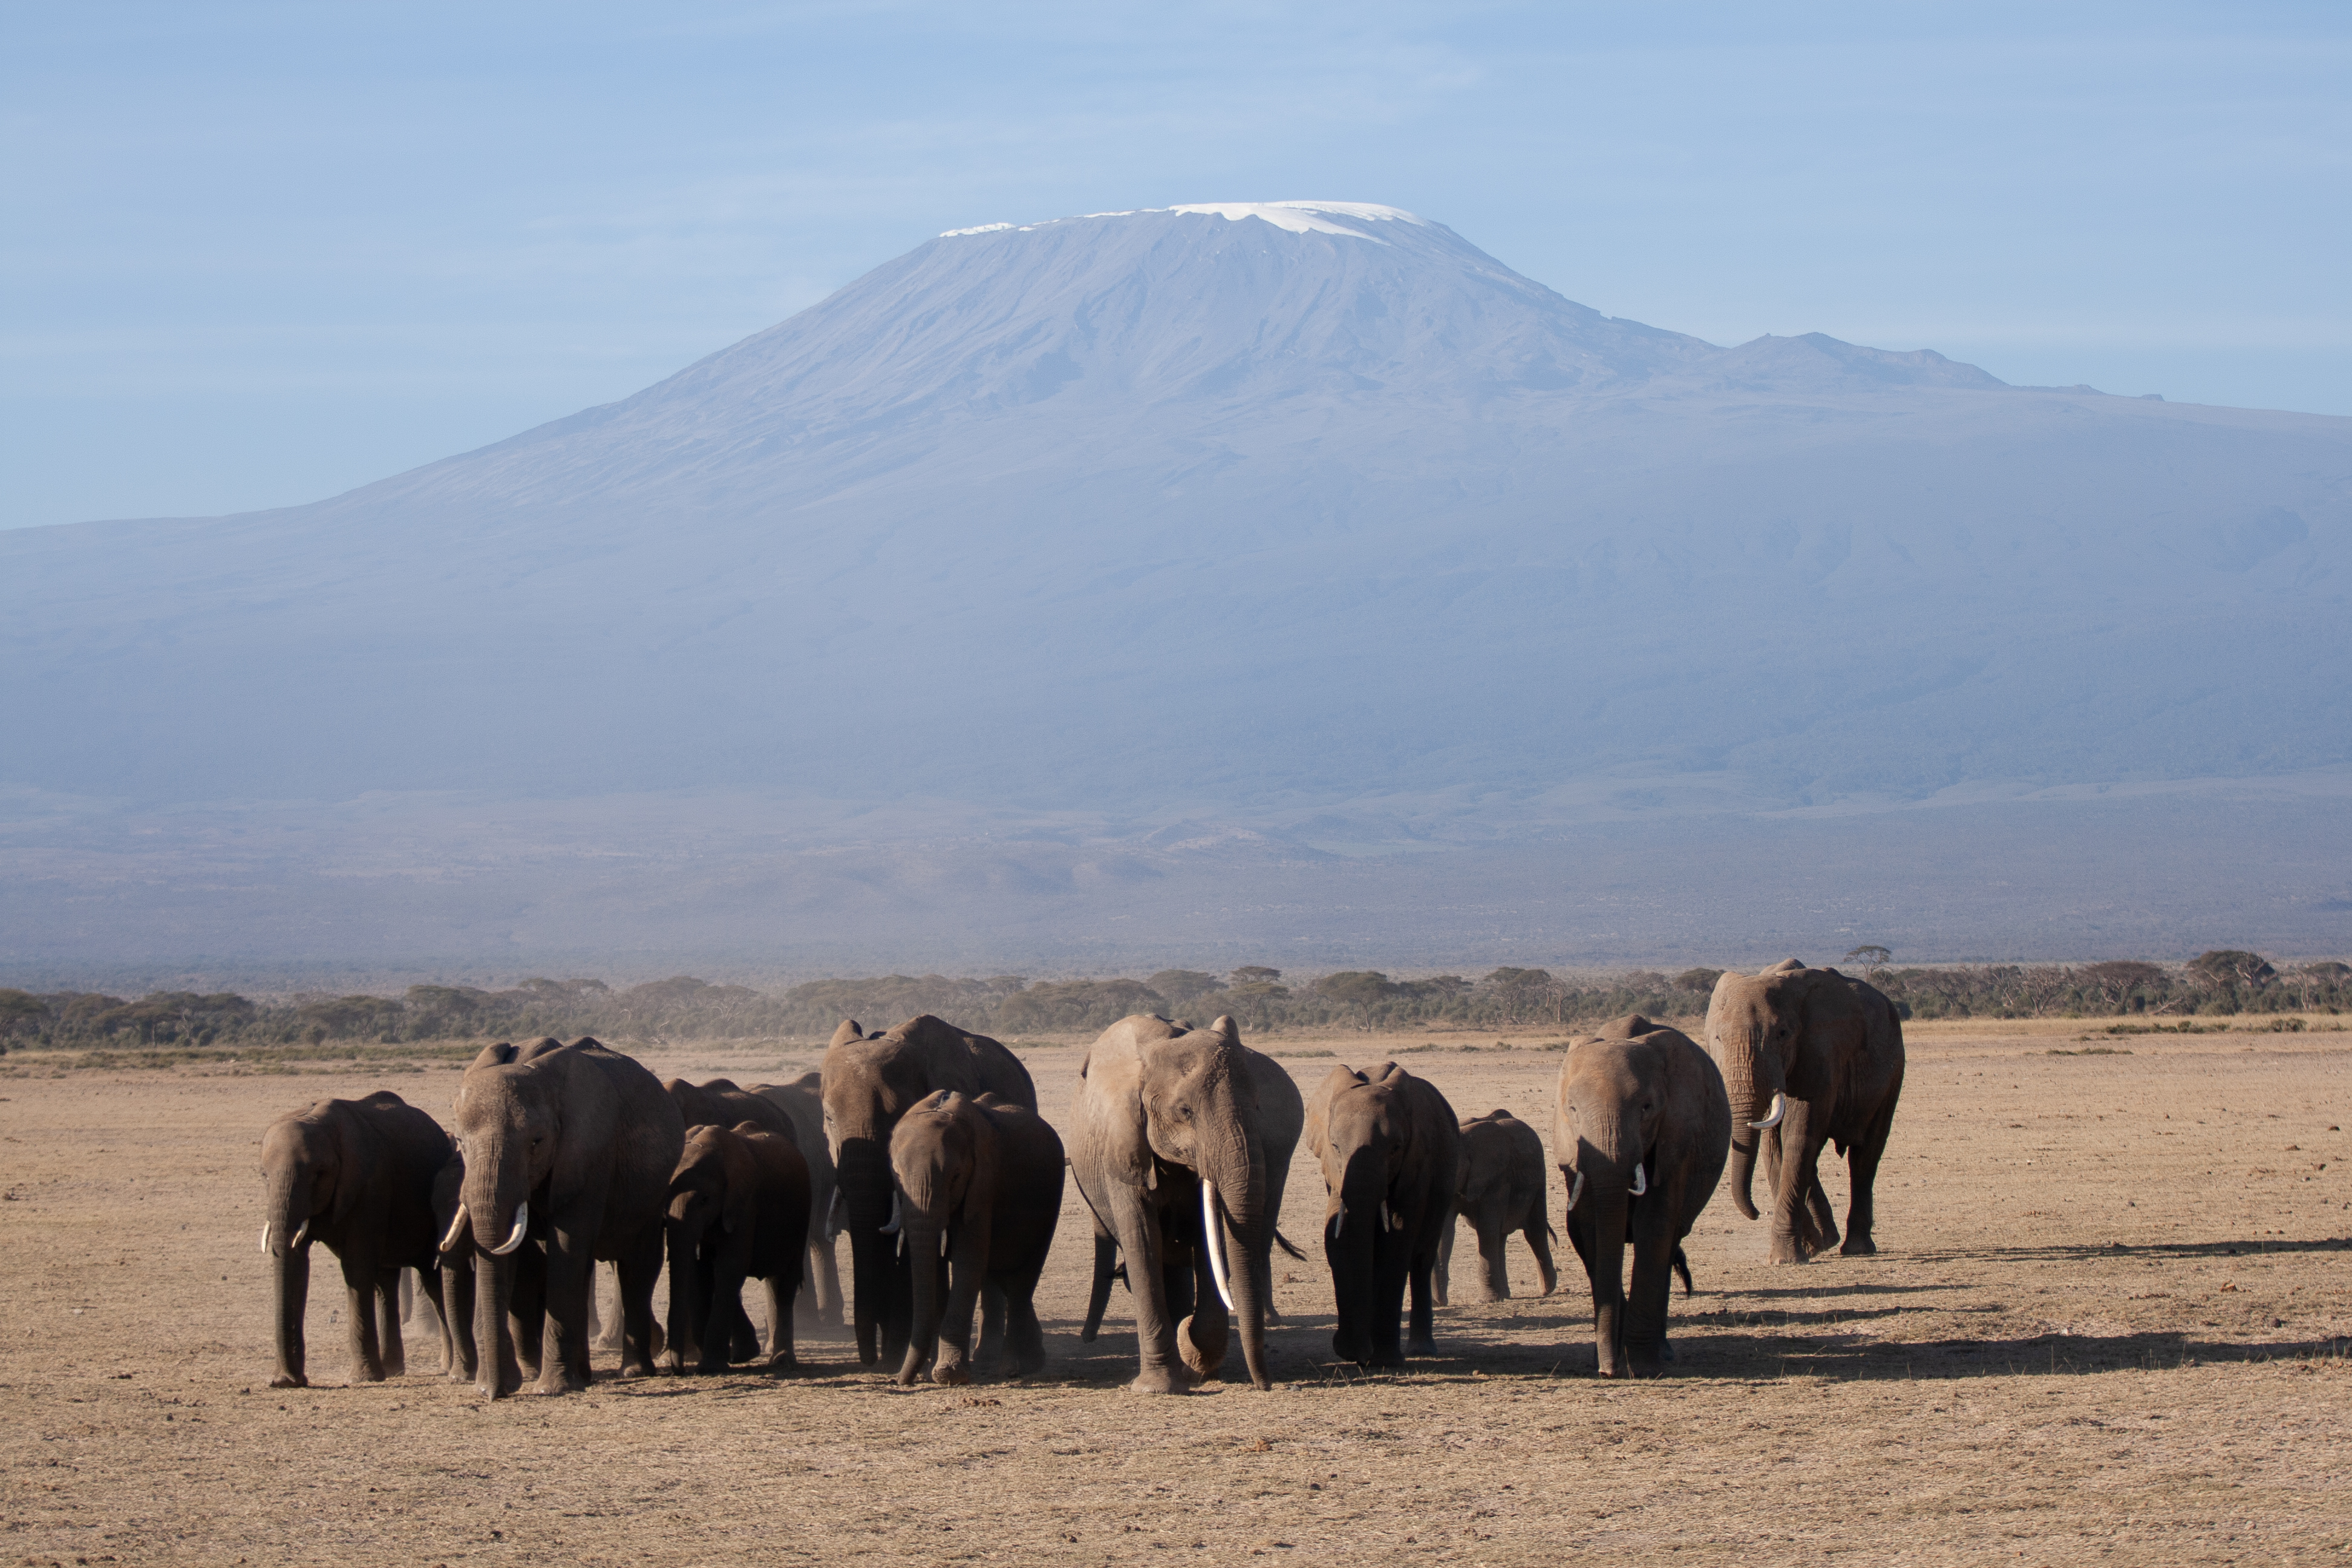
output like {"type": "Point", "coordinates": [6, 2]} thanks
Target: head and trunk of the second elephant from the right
{"type": "Point", "coordinates": [1615, 1101]}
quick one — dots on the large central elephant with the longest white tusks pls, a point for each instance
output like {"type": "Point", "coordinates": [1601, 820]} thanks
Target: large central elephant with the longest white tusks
{"type": "Point", "coordinates": [1182, 1144]}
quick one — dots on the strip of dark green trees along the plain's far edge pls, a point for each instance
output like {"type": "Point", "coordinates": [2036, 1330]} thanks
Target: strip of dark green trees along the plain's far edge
{"type": "Point", "coordinates": [1259, 998]}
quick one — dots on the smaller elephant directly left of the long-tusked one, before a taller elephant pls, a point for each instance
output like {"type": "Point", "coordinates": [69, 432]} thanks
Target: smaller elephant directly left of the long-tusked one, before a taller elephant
{"type": "Point", "coordinates": [980, 1195]}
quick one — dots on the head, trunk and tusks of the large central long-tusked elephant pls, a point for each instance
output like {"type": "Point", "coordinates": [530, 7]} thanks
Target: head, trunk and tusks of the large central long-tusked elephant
{"type": "Point", "coordinates": [1203, 1115]}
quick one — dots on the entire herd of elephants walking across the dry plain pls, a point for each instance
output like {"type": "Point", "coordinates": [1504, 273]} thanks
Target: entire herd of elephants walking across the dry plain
{"type": "Point", "coordinates": [926, 1146]}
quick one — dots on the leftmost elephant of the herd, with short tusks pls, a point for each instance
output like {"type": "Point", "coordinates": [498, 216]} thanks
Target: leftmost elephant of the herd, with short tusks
{"type": "Point", "coordinates": [359, 1177]}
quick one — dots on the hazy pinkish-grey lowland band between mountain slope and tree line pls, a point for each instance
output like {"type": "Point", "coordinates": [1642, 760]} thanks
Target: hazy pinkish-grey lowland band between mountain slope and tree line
{"type": "Point", "coordinates": [399, 890]}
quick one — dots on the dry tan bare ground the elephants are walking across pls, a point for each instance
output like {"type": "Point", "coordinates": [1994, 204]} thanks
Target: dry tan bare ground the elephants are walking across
{"type": "Point", "coordinates": [2106, 1327]}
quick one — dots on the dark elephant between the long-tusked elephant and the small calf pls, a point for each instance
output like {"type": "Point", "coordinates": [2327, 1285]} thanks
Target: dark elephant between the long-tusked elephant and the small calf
{"type": "Point", "coordinates": [1391, 1153]}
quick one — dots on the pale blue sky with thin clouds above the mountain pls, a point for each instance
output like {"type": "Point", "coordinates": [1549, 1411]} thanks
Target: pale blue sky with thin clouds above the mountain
{"type": "Point", "coordinates": [265, 253]}
